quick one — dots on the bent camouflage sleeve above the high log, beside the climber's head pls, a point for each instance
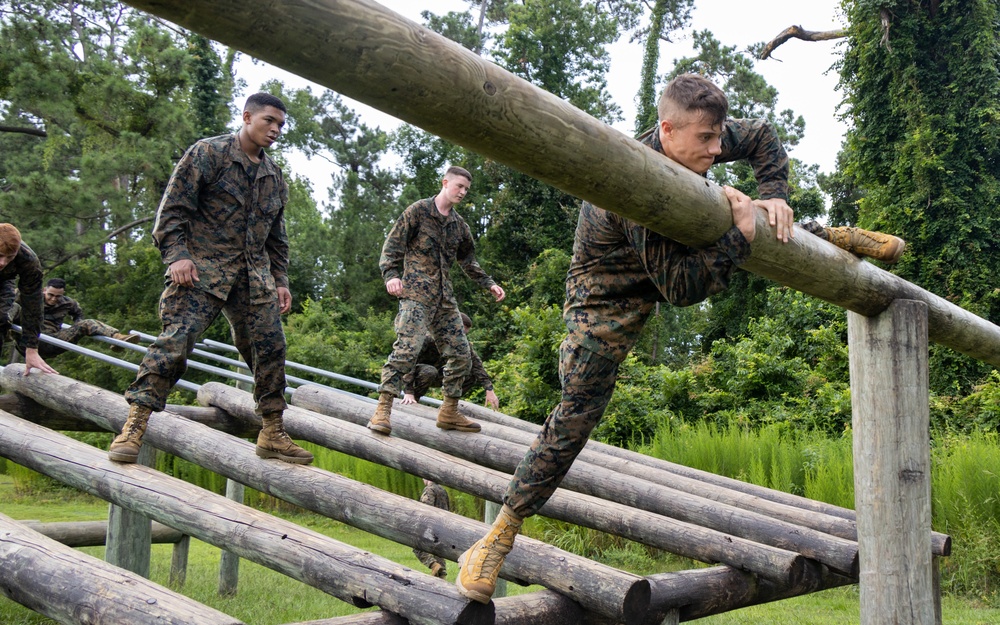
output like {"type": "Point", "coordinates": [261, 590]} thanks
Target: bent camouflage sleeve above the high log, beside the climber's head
{"type": "Point", "coordinates": [757, 141]}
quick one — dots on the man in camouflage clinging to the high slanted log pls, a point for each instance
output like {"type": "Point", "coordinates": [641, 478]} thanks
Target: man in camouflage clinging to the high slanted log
{"type": "Point", "coordinates": [618, 272]}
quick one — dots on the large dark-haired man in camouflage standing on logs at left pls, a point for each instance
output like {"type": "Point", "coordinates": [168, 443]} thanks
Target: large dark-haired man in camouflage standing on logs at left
{"type": "Point", "coordinates": [220, 229]}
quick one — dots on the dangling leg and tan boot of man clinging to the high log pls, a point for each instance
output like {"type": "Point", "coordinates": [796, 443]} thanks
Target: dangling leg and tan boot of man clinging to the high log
{"type": "Point", "coordinates": [588, 380]}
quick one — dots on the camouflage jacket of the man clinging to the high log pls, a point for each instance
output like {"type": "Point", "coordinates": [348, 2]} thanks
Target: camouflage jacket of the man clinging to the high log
{"type": "Point", "coordinates": [621, 269]}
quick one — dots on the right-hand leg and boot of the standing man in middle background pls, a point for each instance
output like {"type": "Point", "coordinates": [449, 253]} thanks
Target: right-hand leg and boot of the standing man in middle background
{"type": "Point", "coordinates": [449, 336]}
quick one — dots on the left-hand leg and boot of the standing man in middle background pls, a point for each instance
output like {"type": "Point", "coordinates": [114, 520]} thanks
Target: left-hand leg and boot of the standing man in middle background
{"type": "Point", "coordinates": [411, 330]}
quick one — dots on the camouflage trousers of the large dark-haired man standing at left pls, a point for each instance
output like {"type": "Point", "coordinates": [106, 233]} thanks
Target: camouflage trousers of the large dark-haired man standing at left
{"type": "Point", "coordinates": [186, 313]}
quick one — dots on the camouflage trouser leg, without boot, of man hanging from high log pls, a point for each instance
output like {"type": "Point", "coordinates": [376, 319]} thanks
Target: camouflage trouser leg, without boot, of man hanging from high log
{"type": "Point", "coordinates": [588, 380]}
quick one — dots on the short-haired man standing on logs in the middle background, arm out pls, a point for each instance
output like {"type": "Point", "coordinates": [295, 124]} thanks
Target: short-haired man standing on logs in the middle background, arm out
{"type": "Point", "coordinates": [427, 239]}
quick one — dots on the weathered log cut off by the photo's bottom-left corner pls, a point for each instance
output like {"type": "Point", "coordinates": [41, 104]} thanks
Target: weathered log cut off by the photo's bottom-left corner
{"type": "Point", "coordinates": [72, 587]}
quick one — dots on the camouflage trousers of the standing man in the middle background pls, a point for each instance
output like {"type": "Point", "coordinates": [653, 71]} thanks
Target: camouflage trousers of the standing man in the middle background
{"type": "Point", "coordinates": [416, 323]}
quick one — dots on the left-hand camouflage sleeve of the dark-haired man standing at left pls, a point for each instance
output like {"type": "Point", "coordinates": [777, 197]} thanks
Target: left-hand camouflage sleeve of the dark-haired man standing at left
{"type": "Point", "coordinates": [180, 199]}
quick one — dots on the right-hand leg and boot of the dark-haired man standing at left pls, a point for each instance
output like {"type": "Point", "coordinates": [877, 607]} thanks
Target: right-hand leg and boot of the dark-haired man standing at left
{"type": "Point", "coordinates": [258, 336]}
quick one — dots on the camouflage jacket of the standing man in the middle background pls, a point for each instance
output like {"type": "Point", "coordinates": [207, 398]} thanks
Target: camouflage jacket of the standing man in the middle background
{"type": "Point", "coordinates": [421, 248]}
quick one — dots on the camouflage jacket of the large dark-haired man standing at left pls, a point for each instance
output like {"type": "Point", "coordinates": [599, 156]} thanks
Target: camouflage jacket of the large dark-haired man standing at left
{"type": "Point", "coordinates": [214, 215]}
